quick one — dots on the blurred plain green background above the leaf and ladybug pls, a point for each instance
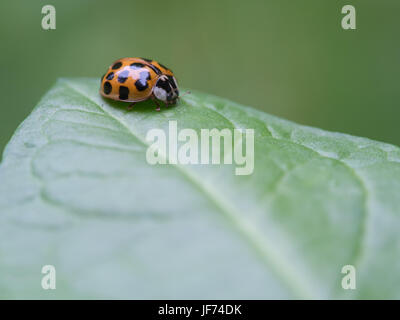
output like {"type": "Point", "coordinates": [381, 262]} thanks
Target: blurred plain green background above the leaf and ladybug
{"type": "Point", "coordinates": [288, 58]}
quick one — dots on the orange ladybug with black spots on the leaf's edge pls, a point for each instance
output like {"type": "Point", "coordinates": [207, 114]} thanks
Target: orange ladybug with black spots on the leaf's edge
{"type": "Point", "coordinates": [138, 79]}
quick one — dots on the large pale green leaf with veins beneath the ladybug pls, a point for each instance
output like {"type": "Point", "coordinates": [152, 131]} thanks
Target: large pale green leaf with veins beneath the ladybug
{"type": "Point", "coordinates": [76, 192]}
